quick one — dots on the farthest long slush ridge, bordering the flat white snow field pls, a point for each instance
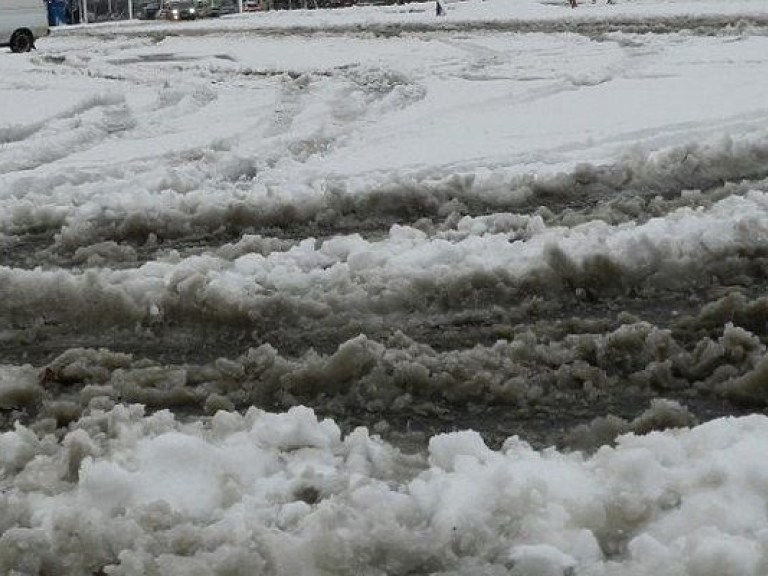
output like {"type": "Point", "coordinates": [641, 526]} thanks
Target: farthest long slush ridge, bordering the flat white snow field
{"type": "Point", "coordinates": [168, 203]}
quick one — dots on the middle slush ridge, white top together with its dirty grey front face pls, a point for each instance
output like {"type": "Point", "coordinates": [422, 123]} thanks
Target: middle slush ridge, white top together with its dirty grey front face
{"type": "Point", "coordinates": [352, 282]}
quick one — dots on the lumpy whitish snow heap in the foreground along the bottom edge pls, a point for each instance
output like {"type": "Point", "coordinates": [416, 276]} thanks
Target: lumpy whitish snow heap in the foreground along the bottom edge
{"type": "Point", "coordinates": [124, 493]}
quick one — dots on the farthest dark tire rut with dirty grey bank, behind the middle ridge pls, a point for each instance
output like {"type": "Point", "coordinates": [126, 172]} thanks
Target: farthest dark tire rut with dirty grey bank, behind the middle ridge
{"type": "Point", "coordinates": [635, 189]}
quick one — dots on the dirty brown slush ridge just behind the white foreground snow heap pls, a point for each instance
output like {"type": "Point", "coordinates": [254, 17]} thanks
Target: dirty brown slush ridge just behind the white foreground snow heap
{"type": "Point", "coordinates": [404, 379]}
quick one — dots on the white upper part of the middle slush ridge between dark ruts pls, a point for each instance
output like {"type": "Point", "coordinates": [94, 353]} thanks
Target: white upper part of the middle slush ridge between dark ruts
{"type": "Point", "coordinates": [407, 271]}
